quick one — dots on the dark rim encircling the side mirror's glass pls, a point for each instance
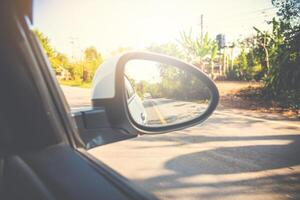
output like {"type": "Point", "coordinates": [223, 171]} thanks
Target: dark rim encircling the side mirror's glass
{"type": "Point", "coordinates": [120, 90]}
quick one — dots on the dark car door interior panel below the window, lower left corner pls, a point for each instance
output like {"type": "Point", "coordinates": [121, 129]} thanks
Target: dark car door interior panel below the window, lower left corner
{"type": "Point", "coordinates": [43, 175]}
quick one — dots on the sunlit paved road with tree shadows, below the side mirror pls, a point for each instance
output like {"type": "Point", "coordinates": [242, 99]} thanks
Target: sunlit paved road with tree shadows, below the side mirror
{"type": "Point", "coordinates": [233, 155]}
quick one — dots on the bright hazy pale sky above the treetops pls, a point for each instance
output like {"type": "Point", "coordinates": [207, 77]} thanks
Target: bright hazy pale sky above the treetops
{"type": "Point", "coordinates": [73, 25]}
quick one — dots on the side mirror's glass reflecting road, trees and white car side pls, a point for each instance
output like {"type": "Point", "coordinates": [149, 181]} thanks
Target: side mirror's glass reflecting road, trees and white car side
{"type": "Point", "coordinates": [160, 94]}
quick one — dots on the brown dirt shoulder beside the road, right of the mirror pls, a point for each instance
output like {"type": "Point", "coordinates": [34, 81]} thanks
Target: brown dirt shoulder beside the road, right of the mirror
{"type": "Point", "coordinates": [231, 98]}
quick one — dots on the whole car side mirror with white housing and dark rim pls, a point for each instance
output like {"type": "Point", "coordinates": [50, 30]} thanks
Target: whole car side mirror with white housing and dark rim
{"type": "Point", "coordinates": [152, 93]}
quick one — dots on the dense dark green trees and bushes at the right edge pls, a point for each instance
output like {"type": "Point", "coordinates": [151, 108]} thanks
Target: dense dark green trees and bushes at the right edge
{"type": "Point", "coordinates": [274, 56]}
